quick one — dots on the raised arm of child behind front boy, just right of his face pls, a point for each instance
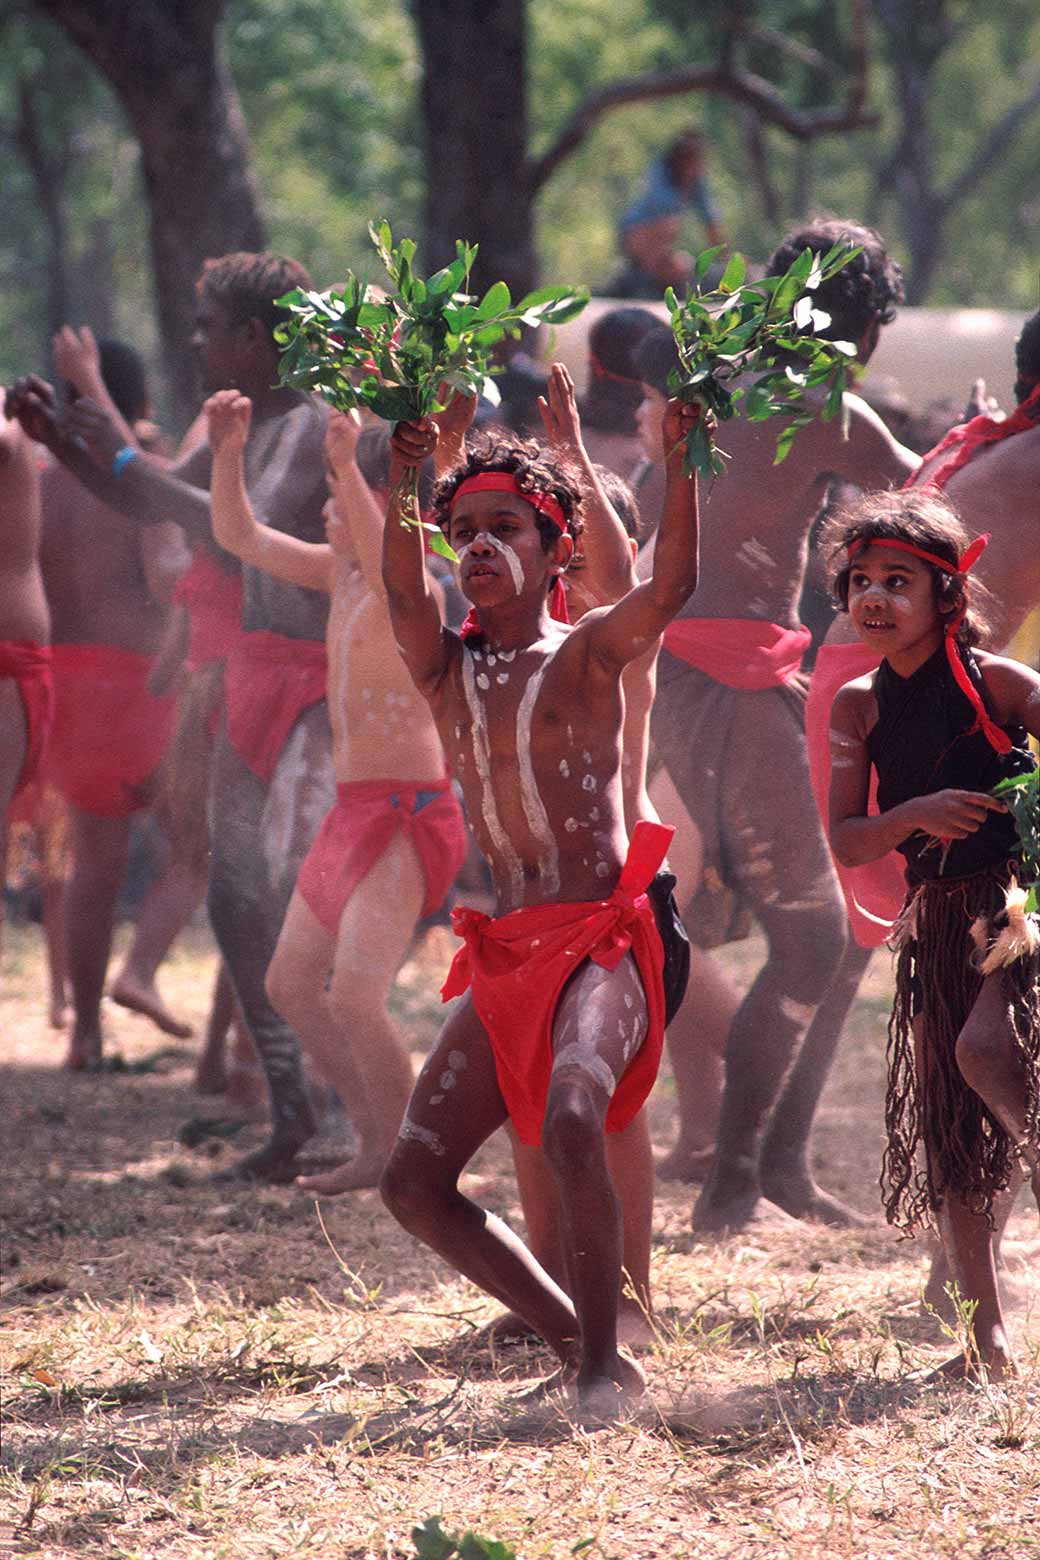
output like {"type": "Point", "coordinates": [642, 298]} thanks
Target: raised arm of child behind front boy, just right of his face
{"type": "Point", "coordinates": [609, 564]}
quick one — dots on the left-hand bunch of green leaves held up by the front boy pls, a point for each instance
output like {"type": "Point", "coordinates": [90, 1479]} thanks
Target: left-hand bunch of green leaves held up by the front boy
{"type": "Point", "coordinates": [406, 353]}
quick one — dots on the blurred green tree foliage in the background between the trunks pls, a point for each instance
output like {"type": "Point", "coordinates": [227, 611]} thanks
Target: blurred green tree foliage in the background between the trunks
{"type": "Point", "coordinates": [330, 91]}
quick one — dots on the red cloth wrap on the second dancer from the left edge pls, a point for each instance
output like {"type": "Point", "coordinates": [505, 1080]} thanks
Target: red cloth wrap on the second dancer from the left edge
{"type": "Point", "coordinates": [110, 734]}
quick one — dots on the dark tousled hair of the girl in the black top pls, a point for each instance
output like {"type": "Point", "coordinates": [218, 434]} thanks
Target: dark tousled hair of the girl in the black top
{"type": "Point", "coordinates": [919, 516]}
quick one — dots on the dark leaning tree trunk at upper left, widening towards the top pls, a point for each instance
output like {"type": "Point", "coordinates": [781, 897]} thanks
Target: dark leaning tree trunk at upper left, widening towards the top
{"type": "Point", "coordinates": [163, 58]}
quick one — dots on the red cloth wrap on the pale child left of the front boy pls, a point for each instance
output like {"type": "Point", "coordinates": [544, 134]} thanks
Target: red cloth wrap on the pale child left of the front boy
{"type": "Point", "coordinates": [359, 829]}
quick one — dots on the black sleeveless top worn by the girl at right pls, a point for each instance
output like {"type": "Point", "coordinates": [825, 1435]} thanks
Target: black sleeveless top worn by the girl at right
{"type": "Point", "coordinates": [924, 743]}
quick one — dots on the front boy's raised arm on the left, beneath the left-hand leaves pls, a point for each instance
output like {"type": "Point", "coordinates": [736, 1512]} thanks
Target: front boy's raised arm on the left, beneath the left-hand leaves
{"type": "Point", "coordinates": [416, 615]}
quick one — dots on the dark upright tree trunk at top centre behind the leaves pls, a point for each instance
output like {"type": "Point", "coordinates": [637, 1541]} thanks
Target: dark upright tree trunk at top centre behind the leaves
{"type": "Point", "coordinates": [475, 112]}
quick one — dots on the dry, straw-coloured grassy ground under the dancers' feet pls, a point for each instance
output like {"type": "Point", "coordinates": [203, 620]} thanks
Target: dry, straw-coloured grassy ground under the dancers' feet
{"type": "Point", "coordinates": [189, 1370]}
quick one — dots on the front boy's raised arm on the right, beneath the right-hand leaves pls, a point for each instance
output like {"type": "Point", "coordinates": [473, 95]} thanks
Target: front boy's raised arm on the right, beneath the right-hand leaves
{"type": "Point", "coordinates": [635, 623]}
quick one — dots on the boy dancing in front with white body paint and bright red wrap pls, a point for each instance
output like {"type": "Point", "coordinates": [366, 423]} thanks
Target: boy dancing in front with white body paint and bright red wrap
{"type": "Point", "coordinates": [562, 1019]}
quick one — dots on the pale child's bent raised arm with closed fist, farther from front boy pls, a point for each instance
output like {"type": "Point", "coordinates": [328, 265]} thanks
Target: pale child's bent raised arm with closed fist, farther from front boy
{"type": "Point", "coordinates": [236, 526]}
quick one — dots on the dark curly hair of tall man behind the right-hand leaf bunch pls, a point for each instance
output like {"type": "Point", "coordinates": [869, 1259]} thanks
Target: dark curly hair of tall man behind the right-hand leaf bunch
{"type": "Point", "coordinates": [863, 292]}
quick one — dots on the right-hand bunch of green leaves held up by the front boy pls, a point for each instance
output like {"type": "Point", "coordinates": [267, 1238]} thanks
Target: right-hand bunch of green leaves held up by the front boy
{"type": "Point", "coordinates": [763, 330]}
